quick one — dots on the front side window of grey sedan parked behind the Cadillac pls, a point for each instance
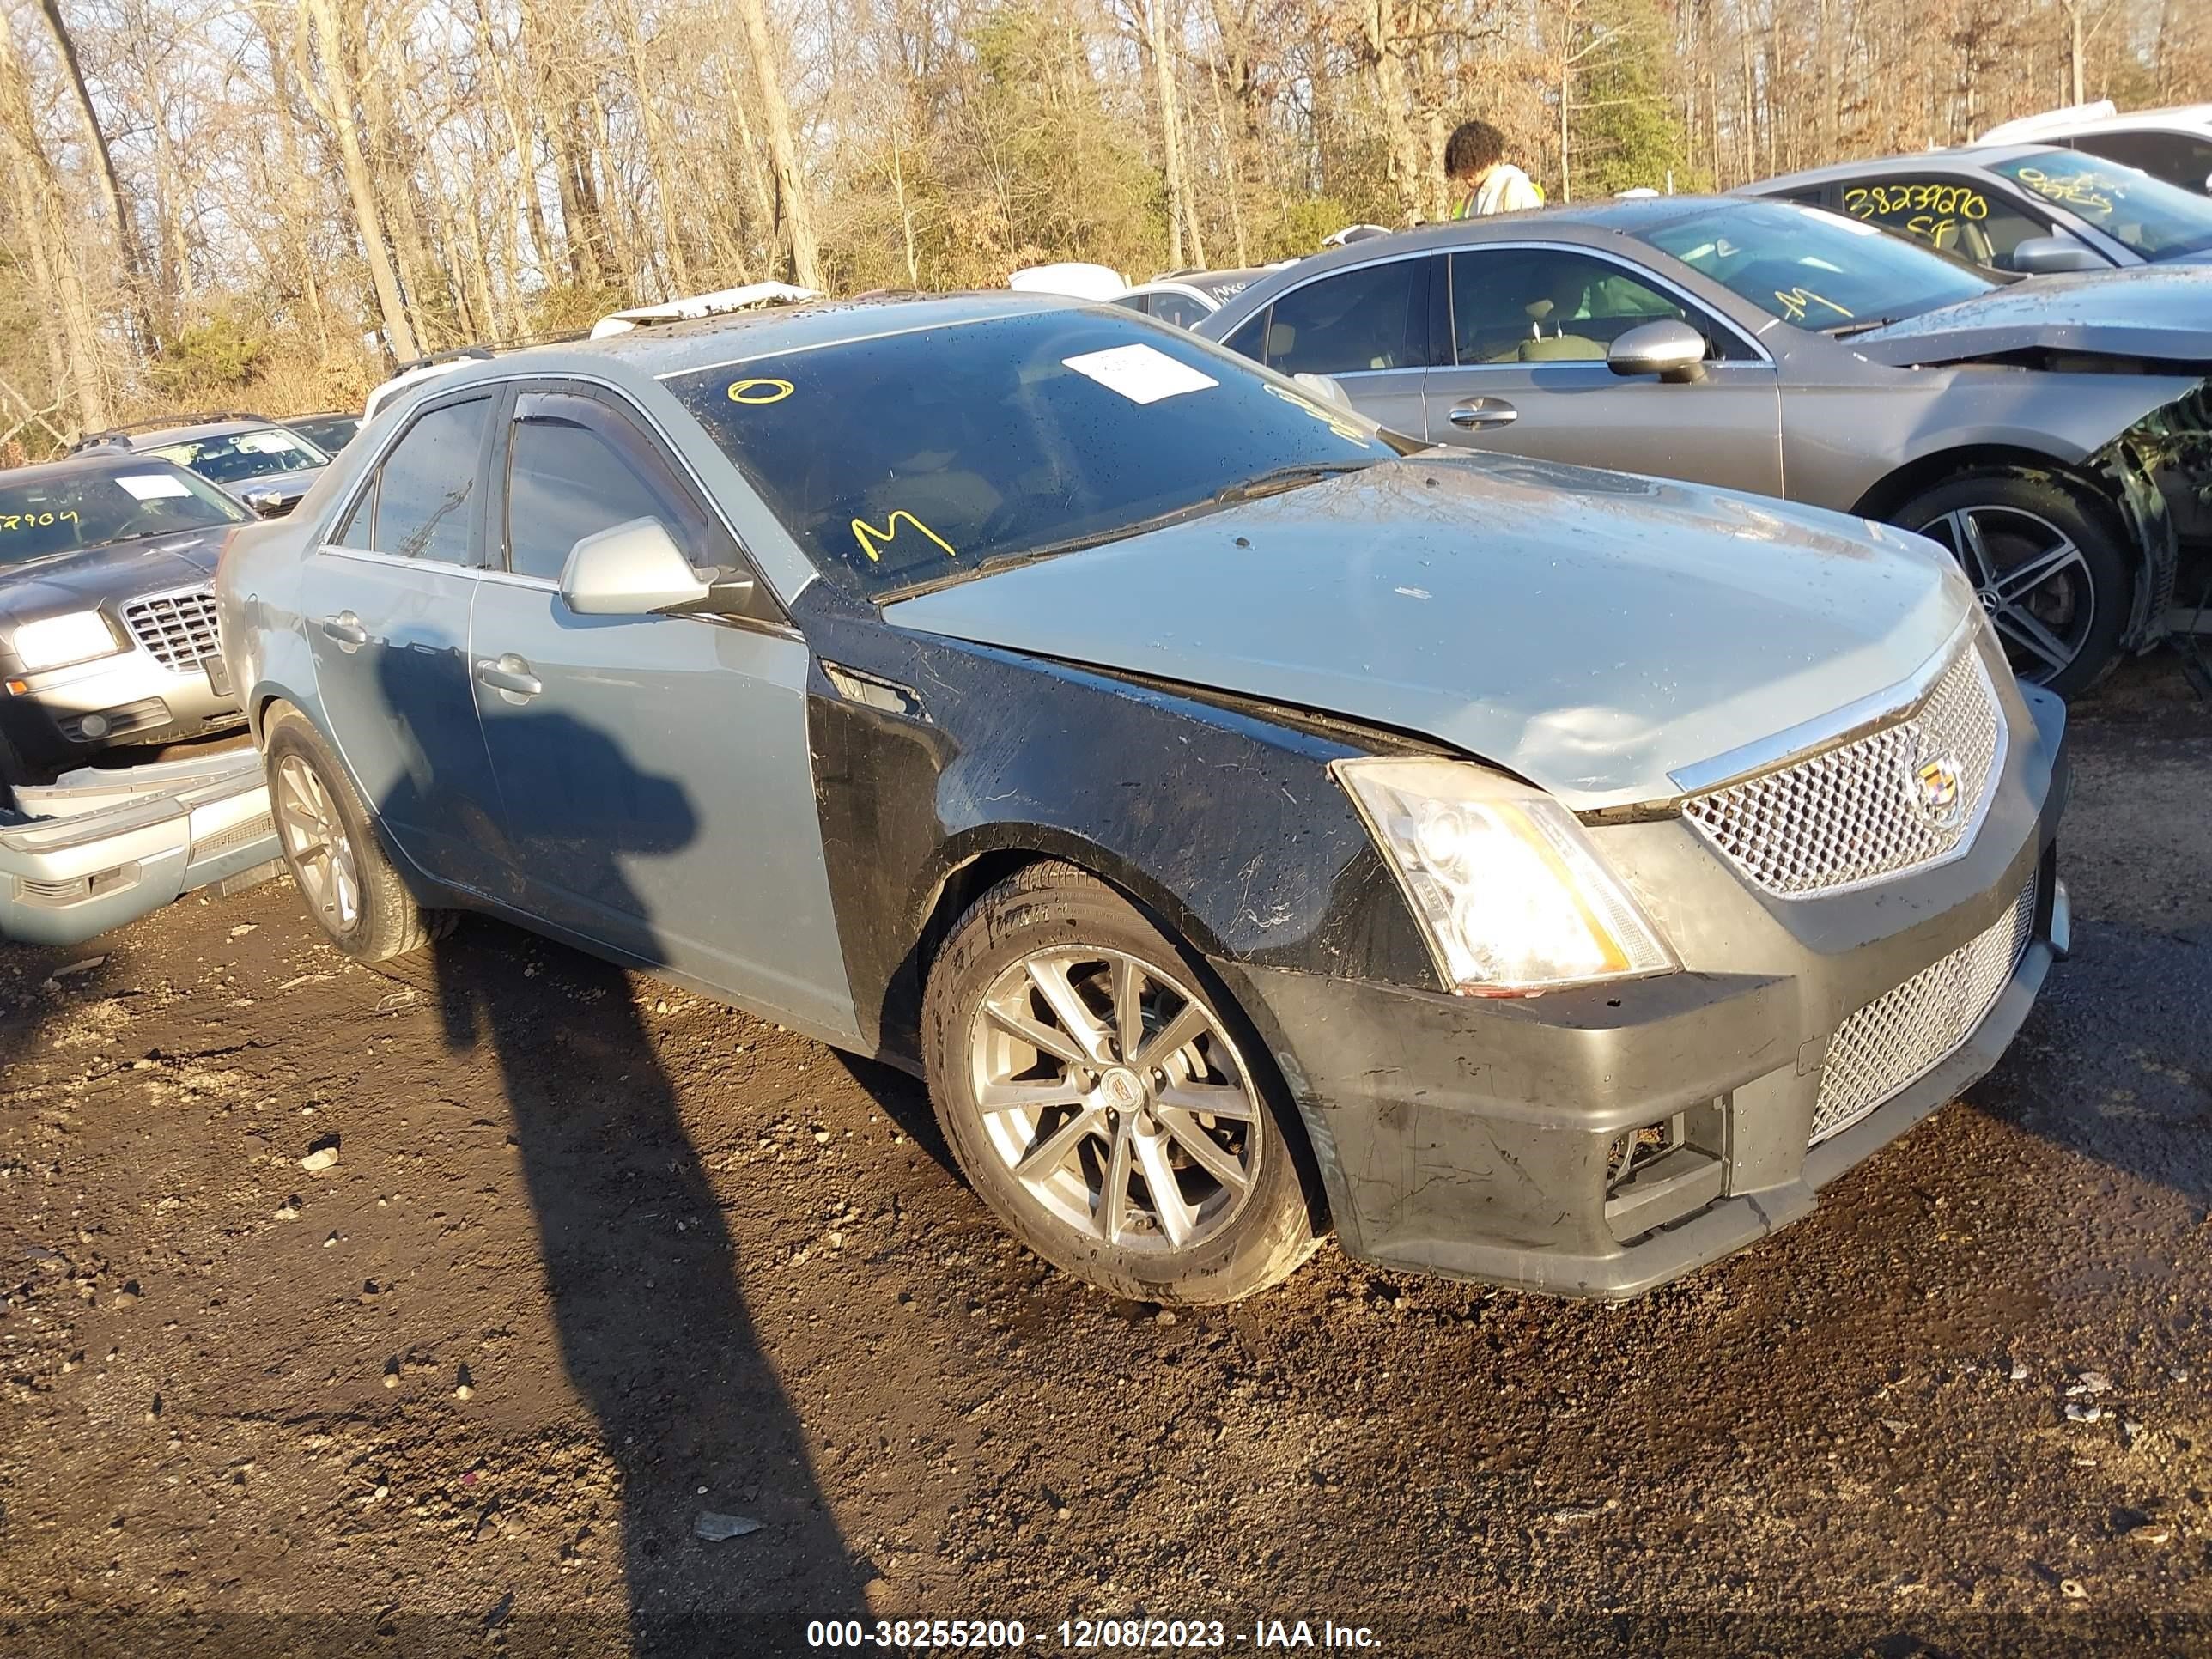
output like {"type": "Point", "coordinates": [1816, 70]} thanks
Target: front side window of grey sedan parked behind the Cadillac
{"type": "Point", "coordinates": [1556, 306]}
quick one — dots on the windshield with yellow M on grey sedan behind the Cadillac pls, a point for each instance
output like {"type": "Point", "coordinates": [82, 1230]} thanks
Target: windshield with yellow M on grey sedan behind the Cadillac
{"type": "Point", "coordinates": [1811, 267]}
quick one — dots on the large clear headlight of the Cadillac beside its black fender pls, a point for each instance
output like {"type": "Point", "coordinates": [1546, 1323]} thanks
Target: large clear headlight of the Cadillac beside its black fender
{"type": "Point", "coordinates": [1507, 888]}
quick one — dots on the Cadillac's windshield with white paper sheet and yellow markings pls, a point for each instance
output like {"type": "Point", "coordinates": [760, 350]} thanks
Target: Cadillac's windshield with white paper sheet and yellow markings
{"type": "Point", "coordinates": [926, 457]}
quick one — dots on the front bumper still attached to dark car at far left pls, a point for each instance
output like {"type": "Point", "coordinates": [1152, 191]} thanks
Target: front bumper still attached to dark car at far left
{"type": "Point", "coordinates": [132, 698]}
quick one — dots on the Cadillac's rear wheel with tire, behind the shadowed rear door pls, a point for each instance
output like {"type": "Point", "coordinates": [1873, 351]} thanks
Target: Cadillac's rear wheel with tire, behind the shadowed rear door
{"type": "Point", "coordinates": [331, 846]}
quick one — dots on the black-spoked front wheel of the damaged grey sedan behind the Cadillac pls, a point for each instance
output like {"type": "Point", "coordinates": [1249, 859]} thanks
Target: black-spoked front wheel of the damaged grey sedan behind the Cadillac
{"type": "Point", "coordinates": [2049, 570]}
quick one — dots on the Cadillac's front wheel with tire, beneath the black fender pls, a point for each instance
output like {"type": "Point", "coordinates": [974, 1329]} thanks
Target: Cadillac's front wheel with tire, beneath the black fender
{"type": "Point", "coordinates": [1107, 1100]}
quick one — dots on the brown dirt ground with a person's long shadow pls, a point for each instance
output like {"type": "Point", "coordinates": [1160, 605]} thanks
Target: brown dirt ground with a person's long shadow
{"type": "Point", "coordinates": [598, 1260]}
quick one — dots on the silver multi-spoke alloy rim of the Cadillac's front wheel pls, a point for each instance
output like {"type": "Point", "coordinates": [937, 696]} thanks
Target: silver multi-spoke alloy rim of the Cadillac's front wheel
{"type": "Point", "coordinates": [1116, 1098]}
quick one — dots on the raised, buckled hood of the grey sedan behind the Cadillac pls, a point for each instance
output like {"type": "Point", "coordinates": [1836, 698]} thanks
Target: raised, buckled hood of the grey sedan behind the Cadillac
{"type": "Point", "coordinates": [2153, 313]}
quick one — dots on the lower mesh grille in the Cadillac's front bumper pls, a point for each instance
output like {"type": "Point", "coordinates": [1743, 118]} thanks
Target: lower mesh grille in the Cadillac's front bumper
{"type": "Point", "coordinates": [1906, 1034]}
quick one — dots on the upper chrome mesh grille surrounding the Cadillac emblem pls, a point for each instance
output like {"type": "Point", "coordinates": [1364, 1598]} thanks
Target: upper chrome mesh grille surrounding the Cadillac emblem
{"type": "Point", "coordinates": [1857, 813]}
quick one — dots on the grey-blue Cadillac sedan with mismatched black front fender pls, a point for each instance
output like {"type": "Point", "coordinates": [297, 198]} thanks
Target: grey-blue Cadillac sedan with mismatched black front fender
{"type": "Point", "coordinates": [1246, 826]}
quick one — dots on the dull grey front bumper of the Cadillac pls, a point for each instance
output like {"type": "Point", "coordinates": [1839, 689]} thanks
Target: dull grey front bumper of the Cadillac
{"type": "Point", "coordinates": [1474, 1138]}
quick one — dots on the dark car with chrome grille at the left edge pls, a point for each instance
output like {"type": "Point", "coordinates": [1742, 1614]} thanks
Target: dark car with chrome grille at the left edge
{"type": "Point", "coordinates": [105, 609]}
